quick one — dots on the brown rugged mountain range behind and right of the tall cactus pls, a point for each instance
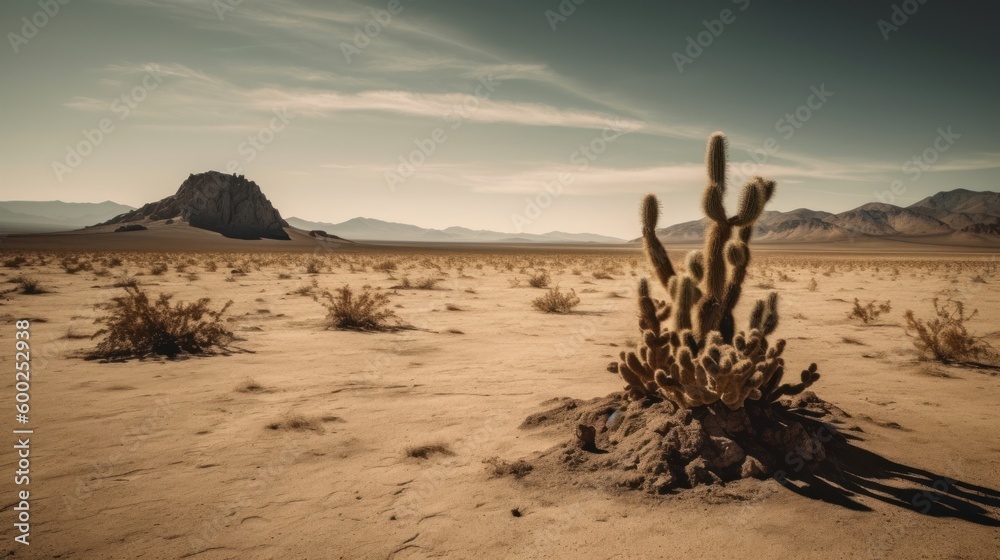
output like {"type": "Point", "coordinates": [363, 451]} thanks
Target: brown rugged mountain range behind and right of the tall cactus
{"type": "Point", "coordinates": [954, 212]}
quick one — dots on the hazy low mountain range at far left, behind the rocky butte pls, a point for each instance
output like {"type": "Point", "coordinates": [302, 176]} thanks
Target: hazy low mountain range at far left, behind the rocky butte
{"type": "Point", "coordinates": [23, 216]}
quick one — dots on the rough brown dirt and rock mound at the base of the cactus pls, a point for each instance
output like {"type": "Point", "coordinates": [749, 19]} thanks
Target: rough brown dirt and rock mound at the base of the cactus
{"type": "Point", "coordinates": [658, 447]}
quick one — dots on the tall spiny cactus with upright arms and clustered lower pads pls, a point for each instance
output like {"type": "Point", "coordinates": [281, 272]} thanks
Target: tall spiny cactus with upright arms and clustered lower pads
{"type": "Point", "coordinates": [690, 352]}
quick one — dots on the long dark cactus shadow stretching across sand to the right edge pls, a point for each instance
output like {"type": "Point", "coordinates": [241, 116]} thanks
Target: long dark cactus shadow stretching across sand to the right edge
{"type": "Point", "coordinates": [852, 472]}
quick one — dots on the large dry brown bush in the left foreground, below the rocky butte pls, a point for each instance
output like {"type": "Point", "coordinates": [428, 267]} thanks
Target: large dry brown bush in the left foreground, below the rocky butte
{"type": "Point", "coordinates": [136, 326]}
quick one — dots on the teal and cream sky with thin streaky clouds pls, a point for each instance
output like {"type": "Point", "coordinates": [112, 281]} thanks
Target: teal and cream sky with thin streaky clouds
{"type": "Point", "coordinates": [513, 115]}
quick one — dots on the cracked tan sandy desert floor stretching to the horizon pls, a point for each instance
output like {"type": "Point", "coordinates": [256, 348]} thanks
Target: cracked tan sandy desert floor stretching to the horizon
{"type": "Point", "coordinates": [188, 459]}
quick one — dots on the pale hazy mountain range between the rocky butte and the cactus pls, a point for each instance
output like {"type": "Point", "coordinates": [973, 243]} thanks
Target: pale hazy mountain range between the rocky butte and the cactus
{"type": "Point", "coordinates": [368, 229]}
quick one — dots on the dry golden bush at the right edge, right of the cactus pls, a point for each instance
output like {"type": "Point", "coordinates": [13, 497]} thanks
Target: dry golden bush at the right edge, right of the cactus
{"type": "Point", "coordinates": [945, 338]}
